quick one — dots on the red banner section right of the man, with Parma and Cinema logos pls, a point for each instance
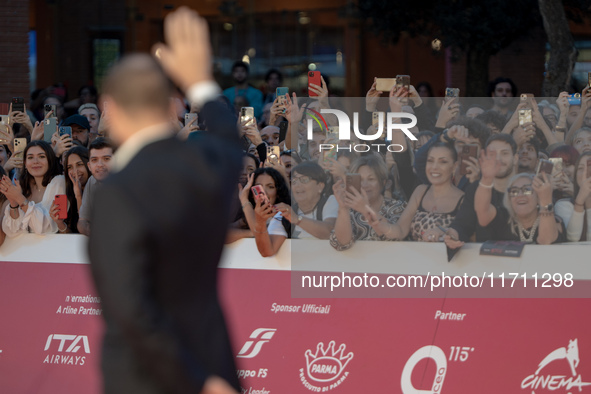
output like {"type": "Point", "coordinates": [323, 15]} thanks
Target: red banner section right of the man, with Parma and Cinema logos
{"type": "Point", "coordinates": [410, 346]}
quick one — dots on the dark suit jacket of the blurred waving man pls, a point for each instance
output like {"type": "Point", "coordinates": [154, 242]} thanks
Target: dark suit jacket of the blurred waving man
{"type": "Point", "coordinates": [158, 229]}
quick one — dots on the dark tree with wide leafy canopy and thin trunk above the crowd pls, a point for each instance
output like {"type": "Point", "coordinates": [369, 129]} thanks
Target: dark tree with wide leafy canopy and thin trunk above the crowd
{"type": "Point", "coordinates": [478, 28]}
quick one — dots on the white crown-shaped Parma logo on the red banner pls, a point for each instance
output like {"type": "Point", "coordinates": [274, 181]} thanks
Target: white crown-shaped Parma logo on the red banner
{"type": "Point", "coordinates": [326, 367]}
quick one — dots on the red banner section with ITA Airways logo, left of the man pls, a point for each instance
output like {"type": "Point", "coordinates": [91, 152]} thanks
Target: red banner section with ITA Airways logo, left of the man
{"type": "Point", "coordinates": [50, 336]}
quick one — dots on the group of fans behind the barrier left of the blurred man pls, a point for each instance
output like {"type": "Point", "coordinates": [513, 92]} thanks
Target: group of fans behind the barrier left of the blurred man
{"type": "Point", "coordinates": [37, 165]}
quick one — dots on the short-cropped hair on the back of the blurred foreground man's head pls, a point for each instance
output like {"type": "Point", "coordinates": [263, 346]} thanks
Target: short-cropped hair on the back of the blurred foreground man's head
{"type": "Point", "coordinates": [137, 82]}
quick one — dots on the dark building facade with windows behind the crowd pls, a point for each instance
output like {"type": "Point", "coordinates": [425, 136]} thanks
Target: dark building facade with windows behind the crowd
{"type": "Point", "coordinates": [72, 43]}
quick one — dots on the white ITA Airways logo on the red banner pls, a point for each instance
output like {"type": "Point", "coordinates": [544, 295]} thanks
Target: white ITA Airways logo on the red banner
{"type": "Point", "coordinates": [71, 349]}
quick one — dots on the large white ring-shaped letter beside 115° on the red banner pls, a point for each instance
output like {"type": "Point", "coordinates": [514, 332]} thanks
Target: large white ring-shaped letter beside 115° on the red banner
{"type": "Point", "coordinates": [438, 356]}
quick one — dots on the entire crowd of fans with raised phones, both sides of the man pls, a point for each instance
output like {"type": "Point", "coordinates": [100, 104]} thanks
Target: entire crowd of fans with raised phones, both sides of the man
{"type": "Point", "coordinates": [478, 170]}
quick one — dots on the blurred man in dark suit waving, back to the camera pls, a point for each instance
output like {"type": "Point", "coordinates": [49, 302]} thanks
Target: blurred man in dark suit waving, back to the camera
{"type": "Point", "coordinates": [159, 224]}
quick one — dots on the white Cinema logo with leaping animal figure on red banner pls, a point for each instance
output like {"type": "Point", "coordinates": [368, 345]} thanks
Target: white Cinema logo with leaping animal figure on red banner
{"type": "Point", "coordinates": [544, 381]}
